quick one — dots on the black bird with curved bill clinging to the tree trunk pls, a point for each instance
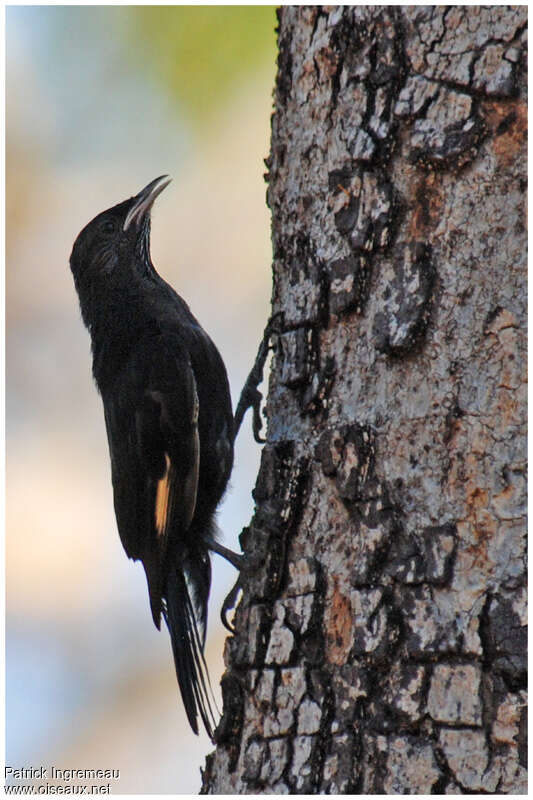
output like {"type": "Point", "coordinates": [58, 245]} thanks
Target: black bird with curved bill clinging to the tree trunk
{"type": "Point", "coordinates": [169, 425]}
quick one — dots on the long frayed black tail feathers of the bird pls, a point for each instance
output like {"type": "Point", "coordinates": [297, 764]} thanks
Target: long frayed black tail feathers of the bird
{"type": "Point", "coordinates": [185, 613]}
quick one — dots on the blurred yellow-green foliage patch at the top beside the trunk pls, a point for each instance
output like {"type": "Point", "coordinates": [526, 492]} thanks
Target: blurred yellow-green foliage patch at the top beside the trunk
{"type": "Point", "coordinates": [185, 46]}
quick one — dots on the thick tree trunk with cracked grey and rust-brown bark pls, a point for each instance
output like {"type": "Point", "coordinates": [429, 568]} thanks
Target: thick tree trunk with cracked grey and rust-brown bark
{"type": "Point", "coordinates": [379, 643]}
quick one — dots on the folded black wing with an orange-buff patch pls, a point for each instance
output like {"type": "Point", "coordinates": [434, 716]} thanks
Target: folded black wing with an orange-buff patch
{"type": "Point", "coordinates": [151, 414]}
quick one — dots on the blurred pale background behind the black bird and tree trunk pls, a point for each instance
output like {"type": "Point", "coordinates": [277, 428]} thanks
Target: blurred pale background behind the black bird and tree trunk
{"type": "Point", "coordinates": [101, 100]}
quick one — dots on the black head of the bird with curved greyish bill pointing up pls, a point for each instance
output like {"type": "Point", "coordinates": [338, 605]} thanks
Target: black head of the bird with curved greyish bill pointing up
{"type": "Point", "coordinates": [117, 237]}
